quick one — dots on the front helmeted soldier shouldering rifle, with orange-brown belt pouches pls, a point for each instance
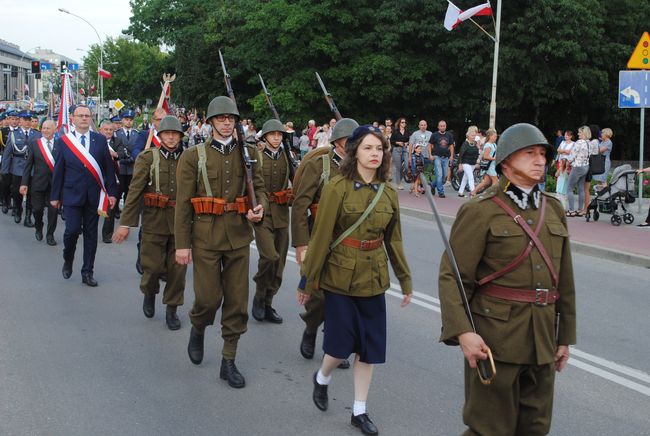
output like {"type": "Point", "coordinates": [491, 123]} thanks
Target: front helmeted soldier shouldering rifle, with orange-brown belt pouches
{"type": "Point", "coordinates": [214, 230]}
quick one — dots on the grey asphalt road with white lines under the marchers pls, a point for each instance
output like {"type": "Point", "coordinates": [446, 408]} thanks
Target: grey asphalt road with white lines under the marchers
{"type": "Point", "coordinates": [76, 360]}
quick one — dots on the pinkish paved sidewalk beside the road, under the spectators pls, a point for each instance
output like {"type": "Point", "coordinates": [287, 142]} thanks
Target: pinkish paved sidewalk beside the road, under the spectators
{"type": "Point", "coordinates": [626, 243]}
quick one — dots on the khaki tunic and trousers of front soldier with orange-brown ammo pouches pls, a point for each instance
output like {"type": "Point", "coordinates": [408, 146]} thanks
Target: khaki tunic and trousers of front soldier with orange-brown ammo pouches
{"type": "Point", "coordinates": [220, 244]}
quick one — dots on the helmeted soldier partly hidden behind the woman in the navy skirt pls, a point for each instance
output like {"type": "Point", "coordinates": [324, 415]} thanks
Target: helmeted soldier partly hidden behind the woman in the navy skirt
{"type": "Point", "coordinates": [316, 174]}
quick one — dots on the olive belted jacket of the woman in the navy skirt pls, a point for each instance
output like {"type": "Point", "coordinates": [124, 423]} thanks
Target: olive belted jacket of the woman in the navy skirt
{"type": "Point", "coordinates": [347, 270]}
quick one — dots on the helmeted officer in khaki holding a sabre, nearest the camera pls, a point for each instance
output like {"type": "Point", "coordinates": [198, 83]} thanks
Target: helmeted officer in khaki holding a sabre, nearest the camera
{"type": "Point", "coordinates": [512, 248]}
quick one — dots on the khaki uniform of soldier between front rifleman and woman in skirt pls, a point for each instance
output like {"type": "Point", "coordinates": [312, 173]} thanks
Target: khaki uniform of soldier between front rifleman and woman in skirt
{"type": "Point", "coordinates": [272, 233]}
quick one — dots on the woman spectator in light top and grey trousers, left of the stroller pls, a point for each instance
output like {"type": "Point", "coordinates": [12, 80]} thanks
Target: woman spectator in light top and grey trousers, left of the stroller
{"type": "Point", "coordinates": [579, 160]}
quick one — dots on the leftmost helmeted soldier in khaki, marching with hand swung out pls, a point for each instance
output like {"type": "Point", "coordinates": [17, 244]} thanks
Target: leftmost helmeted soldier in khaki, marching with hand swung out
{"type": "Point", "coordinates": [154, 180]}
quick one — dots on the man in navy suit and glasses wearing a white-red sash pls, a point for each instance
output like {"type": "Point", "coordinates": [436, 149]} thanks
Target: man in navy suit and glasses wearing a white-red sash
{"type": "Point", "coordinates": [84, 182]}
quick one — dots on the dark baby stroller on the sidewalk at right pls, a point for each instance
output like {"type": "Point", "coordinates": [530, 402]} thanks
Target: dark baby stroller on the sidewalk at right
{"type": "Point", "coordinates": [619, 192]}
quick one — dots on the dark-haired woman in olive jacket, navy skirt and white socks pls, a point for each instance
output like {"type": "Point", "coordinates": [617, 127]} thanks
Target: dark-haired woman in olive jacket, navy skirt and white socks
{"type": "Point", "coordinates": [358, 214]}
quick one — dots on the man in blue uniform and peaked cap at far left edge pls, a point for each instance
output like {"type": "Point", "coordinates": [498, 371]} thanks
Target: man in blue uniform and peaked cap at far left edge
{"type": "Point", "coordinates": [14, 160]}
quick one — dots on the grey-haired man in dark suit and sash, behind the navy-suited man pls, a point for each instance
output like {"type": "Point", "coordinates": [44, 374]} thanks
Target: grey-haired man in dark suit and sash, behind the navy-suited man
{"type": "Point", "coordinates": [38, 172]}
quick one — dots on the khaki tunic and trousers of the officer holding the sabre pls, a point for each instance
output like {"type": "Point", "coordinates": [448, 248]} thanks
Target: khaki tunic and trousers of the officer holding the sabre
{"type": "Point", "coordinates": [521, 335]}
